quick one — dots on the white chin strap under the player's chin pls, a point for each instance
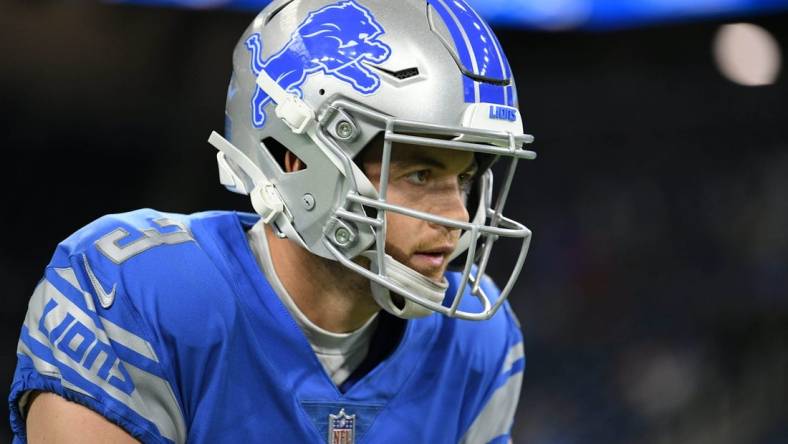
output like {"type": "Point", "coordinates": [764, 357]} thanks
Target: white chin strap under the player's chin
{"type": "Point", "coordinates": [409, 279]}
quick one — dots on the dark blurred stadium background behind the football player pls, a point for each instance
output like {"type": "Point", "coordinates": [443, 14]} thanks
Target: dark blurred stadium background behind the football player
{"type": "Point", "coordinates": [654, 299]}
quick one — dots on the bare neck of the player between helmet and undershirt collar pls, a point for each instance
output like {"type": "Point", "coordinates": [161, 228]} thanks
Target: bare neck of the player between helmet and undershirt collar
{"type": "Point", "coordinates": [328, 294]}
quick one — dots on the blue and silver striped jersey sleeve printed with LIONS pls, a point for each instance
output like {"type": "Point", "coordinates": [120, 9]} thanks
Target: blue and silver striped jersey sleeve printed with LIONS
{"type": "Point", "coordinates": [65, 347]}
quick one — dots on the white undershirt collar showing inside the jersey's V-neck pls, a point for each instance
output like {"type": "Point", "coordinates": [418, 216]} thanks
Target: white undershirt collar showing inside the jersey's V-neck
{"type": "Point", "coordinates": [339, 353]}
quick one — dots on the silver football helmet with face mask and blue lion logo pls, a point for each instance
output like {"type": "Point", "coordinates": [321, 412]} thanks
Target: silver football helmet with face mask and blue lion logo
{"type": "Point", "coordinates": [322, 78]}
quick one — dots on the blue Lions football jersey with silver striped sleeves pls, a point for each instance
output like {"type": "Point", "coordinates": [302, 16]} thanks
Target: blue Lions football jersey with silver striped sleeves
{"type": "Point", "coordinates": [165, 325]}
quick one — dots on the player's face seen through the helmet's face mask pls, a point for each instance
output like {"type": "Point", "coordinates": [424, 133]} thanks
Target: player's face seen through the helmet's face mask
{"type": "Point", "coordinates": [427, 179]}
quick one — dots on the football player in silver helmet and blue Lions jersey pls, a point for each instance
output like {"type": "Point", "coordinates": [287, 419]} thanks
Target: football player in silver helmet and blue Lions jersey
{"type": "Point", "coordinates": [354, 305]}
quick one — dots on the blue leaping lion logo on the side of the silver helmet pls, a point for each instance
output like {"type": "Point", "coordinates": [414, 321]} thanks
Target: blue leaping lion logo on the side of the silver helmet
{"type": "Point", "coordinates": [337, 40]}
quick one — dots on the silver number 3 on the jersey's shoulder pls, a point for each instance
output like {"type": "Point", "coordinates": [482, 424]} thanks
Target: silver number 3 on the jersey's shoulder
{"type": "Point", "coordinates": [151, 237]}
